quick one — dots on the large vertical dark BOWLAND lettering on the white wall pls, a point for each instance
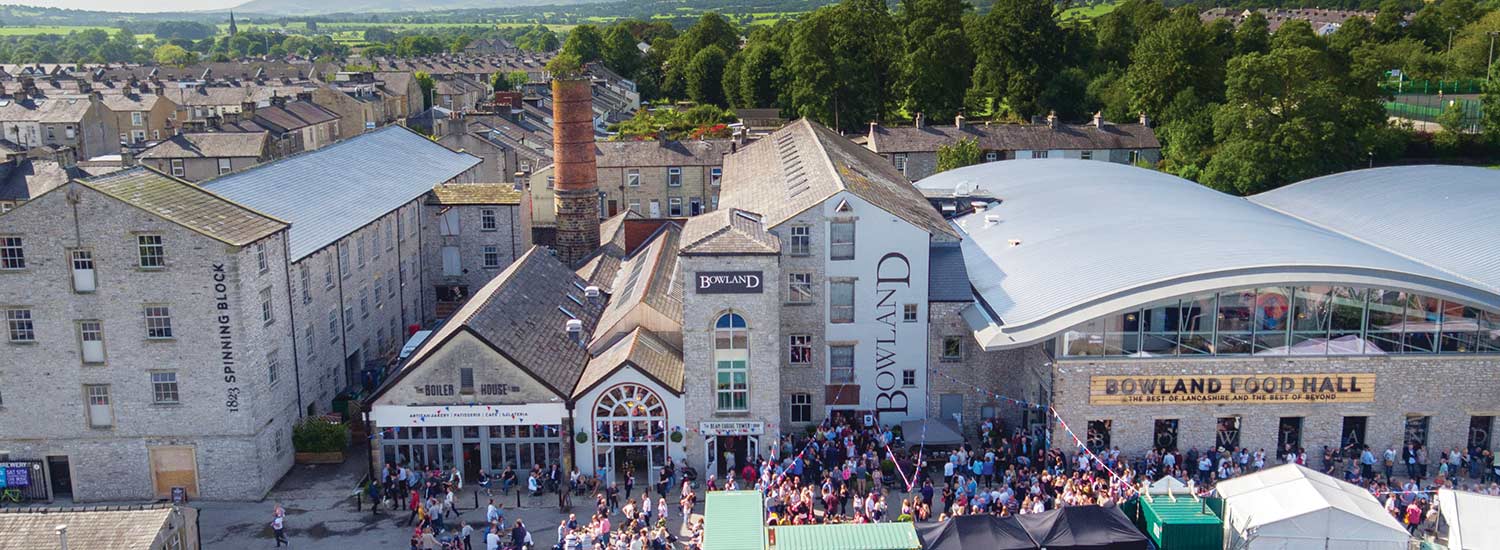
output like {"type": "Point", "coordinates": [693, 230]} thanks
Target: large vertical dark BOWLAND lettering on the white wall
{"type": "Point", "coordinates": [893, 274]}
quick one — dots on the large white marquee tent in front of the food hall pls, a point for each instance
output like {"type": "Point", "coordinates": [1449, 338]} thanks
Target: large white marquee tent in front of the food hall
{"type": "Point", "coordinates": [1295, 509]}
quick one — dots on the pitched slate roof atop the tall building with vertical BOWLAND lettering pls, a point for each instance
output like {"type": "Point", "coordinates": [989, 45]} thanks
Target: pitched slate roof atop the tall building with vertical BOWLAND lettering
{"type": "Point", "coordinates": [805, 164]}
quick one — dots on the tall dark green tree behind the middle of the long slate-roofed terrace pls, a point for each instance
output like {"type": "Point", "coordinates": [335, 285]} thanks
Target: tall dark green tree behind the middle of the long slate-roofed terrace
{"type": "Point", "coordinates": [1016, 47]}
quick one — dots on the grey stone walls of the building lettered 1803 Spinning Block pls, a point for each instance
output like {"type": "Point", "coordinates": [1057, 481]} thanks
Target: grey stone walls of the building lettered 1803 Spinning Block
{"type": "Point", "coordinates": [229, 411]}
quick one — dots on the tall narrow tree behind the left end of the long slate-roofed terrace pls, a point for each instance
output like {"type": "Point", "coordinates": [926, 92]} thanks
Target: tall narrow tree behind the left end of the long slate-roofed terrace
{"type": "Point", "coordinates": [937, 64]}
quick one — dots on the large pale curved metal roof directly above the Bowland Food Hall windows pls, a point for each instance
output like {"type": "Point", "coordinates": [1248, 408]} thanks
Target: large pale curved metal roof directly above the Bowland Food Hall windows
{"type": "Point", "coordinates": [1072, 241]}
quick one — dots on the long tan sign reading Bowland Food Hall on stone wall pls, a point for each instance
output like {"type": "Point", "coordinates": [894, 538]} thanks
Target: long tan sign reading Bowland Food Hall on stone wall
{"type": "Point", "coordinates": [1249, 389]}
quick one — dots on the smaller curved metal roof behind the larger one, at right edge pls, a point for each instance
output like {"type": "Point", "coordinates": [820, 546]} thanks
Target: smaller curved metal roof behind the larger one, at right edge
{"type": "Point", "coordinates": [1442, 217]}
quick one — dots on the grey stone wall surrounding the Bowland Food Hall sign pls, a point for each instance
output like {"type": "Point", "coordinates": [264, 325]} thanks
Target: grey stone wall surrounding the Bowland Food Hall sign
{"type": "Point", "coordinates": [1450, 390]}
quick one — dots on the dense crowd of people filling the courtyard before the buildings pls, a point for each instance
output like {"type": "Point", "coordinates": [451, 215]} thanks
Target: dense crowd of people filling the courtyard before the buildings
{"type": "Point", "coordinates": [842, 473]}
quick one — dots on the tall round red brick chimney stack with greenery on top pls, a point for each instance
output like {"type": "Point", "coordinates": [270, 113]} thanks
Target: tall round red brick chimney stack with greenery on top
{"type": "Point", "coordinates": [575, 175]}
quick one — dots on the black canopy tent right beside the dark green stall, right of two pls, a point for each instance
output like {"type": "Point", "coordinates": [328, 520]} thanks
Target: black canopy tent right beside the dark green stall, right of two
{"type": "Point", "coordinates": [1084, 528]}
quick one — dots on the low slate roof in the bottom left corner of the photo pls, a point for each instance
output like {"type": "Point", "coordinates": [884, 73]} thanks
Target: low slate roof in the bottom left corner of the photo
{"type": "Point", "coordinates": [134, 528]}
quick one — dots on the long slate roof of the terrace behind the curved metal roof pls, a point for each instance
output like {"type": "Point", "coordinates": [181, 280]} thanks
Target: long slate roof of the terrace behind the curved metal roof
{"type": "Point", "coordinates": [1013, 137]}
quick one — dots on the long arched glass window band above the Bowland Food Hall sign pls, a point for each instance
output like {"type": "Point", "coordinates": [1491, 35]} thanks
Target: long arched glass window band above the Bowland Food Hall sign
{"type": "Point", "coordinates": [1315, 320]}
